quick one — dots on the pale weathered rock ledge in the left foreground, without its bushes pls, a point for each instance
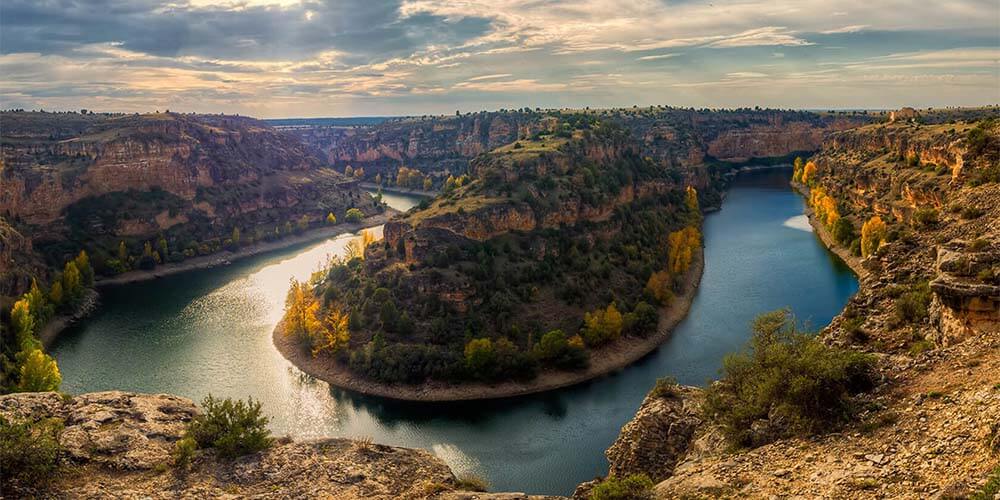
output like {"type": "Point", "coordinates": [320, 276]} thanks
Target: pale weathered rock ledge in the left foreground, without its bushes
{"type": "Point", "coordinates": [120, 445]}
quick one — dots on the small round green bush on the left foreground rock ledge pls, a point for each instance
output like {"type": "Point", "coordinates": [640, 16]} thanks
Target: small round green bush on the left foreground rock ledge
{"type": "Point", "coordinates": [233, 428]}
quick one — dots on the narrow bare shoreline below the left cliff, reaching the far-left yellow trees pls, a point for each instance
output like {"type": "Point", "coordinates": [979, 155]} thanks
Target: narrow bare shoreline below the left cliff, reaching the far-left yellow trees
{"type": "Point", "coordinates": [50, 332]}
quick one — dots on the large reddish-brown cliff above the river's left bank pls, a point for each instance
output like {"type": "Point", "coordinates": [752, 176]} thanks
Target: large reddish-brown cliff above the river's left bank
{"type": "Point", "coordinates": [89, 181]}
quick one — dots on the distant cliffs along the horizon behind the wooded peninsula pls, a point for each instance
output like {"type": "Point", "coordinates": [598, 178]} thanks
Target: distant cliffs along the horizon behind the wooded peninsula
{"type": "Point", "coordinates": [672, 137]}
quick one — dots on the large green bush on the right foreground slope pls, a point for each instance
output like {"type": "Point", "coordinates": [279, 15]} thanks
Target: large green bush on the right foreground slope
{"type": "Point", "coordinates": [786, 383]}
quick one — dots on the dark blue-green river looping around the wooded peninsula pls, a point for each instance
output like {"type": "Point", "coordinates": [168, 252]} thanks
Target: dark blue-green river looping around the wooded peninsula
{"type": "Point", "coordinates": [210, 332]}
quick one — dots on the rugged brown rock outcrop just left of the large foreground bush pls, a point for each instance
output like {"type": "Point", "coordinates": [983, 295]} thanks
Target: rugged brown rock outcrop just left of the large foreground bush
{"type": "Point", "coordinates": [659, 435]}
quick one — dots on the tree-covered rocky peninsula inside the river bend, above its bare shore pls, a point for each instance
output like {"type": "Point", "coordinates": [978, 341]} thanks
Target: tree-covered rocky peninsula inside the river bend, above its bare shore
{"type": "Point", "coordinates": [506, 305]}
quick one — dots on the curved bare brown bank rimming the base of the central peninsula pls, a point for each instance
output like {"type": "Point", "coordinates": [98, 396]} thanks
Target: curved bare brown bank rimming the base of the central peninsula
{"type": "Point", "coordinates": [607, 359]}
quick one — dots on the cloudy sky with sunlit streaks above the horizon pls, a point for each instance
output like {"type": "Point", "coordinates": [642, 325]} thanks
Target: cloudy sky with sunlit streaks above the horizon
{"type": "Point", "coordinates": [309, 58]}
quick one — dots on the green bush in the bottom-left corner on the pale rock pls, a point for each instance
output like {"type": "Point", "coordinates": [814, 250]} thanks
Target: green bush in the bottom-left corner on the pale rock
{"type": "Point", "coordinates": [28, 453]}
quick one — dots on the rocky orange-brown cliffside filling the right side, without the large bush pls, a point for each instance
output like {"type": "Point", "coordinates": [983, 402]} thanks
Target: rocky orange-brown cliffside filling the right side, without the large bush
{"type": "Point", "coordinates": [927, 308]}
